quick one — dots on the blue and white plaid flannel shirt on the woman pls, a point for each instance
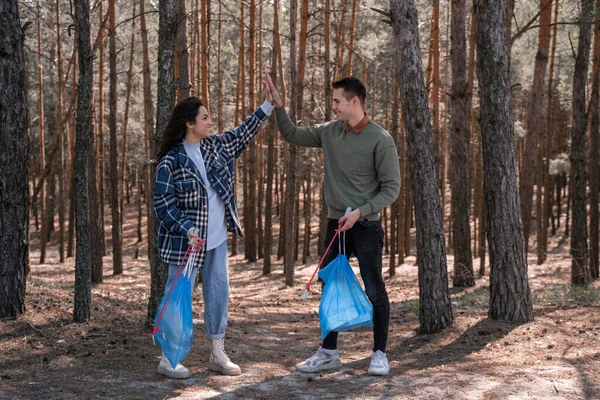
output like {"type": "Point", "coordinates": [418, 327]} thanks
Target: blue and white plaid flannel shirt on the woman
{"type": "Point", "coordinates": [180, 198]}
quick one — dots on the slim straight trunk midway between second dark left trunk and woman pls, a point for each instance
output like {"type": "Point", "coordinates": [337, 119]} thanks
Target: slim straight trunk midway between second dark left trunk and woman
{"type": "Point", "coordinates": [114, 153]}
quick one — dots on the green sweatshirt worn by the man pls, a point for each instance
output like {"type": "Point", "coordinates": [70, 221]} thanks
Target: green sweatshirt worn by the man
{"type": "Point", "coordinates": [361, 169]}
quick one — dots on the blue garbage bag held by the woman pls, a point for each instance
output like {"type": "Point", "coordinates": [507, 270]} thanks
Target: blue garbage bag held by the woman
{"type": "Point", "coordinates": [173, 327]}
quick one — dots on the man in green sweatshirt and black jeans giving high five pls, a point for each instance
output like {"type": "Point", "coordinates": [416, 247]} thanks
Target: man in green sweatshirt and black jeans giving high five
{"type": "Point", "coordinates": [361, 172]}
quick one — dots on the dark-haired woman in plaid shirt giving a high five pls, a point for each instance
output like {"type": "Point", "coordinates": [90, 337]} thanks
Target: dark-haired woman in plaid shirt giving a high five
{"type": "Point", "coordinates": [194, 200]}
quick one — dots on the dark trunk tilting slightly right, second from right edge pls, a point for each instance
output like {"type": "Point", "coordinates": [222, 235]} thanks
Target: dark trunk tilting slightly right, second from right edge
{"type": "Point", "coordinates": [580, 271]}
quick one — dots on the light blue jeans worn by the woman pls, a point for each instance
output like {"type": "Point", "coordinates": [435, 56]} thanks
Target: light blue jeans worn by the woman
{"type": "Point", "coordinates": [215, 289]}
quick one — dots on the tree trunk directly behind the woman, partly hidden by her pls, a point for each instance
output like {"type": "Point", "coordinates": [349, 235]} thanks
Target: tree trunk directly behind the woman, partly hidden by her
{"type": "Point", "coordinates": [167, 30]}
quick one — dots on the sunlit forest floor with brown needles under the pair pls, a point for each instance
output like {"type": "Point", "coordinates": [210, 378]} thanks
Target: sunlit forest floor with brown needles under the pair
{"type": "Point", "coordinates": [44, 355]}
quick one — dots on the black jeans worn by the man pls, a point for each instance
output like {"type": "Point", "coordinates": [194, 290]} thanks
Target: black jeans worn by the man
{"type": "Point", "coordinates": [365, 241]}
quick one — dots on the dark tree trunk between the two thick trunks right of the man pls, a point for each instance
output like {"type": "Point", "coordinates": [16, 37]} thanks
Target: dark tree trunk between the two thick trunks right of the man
{"type": "Point", "coordinates": [463, 259]}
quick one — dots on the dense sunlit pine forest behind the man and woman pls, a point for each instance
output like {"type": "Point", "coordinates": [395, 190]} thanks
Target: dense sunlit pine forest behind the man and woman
{"type": "Point", "coordinates": [220, 49]}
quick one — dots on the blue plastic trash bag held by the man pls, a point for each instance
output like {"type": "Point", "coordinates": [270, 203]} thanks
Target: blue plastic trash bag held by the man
{"type": "Point", "coordinates": [344, 304]}
